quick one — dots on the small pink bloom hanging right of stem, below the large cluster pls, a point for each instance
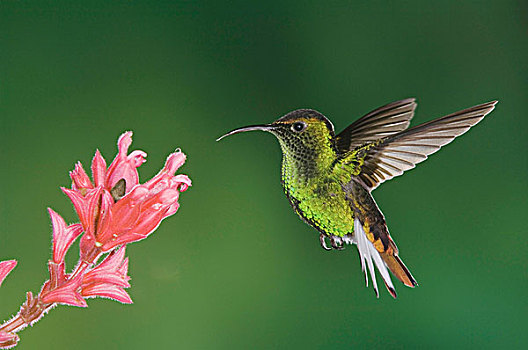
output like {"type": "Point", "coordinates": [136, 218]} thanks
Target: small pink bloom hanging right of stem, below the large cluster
{"type": "Point", "coordinates": [109, 278]}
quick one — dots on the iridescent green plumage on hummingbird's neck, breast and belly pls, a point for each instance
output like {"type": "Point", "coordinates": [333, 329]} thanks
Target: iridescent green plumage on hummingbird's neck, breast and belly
{"type": "Point", "coordinates": [309, 182]}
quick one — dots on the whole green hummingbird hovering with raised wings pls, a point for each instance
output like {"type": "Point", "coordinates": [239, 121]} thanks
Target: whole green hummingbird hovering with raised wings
{"type": "Point", "coordinates": [328, 178]}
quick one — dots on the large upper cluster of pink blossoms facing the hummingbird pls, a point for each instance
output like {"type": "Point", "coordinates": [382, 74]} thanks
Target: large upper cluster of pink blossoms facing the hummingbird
{"type": "Point", "coordinates": [113, 212]}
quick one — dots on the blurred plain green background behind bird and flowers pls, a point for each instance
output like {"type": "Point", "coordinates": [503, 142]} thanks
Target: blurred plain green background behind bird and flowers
{"type": "Point", "coordinates": [235, 268]}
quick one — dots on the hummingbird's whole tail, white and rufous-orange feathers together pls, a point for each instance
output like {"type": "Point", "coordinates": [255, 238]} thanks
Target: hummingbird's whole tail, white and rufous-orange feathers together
{"type": "Point", "coordinates": [386, 259]}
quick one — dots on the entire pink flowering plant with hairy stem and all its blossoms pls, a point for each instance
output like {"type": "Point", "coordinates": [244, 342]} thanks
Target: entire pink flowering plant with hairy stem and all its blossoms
{"type": "Point", "coordinates": [114, 209]}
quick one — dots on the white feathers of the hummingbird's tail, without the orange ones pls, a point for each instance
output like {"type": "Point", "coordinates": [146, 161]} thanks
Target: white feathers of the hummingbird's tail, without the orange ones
{"type": "Point", "coordinates": [368, 253]}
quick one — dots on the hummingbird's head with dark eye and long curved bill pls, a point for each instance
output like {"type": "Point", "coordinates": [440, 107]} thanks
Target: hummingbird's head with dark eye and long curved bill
{"type": "Point", "coordinates": [300, 133]}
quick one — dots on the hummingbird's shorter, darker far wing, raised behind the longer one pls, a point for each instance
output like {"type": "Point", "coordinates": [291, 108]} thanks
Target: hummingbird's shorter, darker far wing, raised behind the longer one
{"type": "Point", "coordinates": [382, 122]}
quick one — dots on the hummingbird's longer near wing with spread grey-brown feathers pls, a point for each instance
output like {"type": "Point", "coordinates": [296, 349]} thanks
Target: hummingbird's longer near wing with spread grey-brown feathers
{"type": "Point", "coordinates": [379, 161]}
